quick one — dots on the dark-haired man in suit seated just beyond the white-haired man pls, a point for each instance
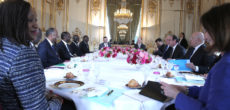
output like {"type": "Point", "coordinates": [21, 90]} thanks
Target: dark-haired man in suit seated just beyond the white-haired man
{"type": "Point", "coordinates": [176, 51]}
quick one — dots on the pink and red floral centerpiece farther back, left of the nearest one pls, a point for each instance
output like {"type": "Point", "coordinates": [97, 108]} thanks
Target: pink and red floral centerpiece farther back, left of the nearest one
{"type": "Point", "coordinates": [107, 52]}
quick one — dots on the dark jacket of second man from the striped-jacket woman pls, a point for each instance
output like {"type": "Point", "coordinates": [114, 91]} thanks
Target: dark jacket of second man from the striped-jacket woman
{"type": "Point", "coordinates": [63, 52]}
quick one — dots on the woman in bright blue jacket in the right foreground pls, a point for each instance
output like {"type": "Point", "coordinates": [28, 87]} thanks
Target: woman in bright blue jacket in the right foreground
{"type": "Point", "coordinates": [214, 95]}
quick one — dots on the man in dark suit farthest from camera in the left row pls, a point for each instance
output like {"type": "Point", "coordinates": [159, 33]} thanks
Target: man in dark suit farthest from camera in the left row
{"type": "Point", "coordinates": [84, 46]}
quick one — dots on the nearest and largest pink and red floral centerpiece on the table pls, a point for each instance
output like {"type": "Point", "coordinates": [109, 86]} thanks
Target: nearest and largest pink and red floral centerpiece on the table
{"type": "Point", "coordinates": [138, 57]}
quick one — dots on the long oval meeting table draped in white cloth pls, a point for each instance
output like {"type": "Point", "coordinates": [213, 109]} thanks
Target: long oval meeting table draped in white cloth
{"type": "Point", "coordinates": [114, 75]}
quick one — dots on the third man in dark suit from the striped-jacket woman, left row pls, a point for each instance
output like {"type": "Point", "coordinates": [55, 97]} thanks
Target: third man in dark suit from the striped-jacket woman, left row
{"type": "Point", "coordinates": [75, 49]}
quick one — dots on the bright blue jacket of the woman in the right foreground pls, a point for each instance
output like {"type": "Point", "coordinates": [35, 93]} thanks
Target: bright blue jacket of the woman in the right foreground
{"type": "Point", "coordinates": [214, 95]}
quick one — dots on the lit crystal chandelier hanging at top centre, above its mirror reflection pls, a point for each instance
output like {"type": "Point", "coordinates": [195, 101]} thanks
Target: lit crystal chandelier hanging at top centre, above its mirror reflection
{"type": "Point", "coordinates": [123, 15]}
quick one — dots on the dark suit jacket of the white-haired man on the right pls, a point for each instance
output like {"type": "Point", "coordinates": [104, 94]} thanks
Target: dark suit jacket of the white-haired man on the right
{"type": "Point", "coordinates": [200, 58]}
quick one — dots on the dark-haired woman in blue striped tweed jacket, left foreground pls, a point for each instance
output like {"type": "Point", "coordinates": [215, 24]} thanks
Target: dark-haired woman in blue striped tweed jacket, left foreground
{"type": "Point", "coordinates": [22, 79]}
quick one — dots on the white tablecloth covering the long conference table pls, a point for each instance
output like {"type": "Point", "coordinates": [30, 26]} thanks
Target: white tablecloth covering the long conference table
{"type": "Point", "coordinates": [115, 74]}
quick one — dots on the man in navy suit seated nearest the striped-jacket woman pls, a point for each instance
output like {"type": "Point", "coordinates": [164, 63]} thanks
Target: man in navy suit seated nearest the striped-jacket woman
{"type": "Point", "coordinates": [47, 49]}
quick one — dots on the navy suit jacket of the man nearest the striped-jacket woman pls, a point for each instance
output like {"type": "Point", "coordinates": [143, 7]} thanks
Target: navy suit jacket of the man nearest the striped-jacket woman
{"type": "Point", "coordinates": [48, 55]}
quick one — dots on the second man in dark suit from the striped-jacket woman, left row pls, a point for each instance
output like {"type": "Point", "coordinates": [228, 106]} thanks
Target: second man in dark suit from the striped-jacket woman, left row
{"type": "Point", "coordinates": [63, 47]}
